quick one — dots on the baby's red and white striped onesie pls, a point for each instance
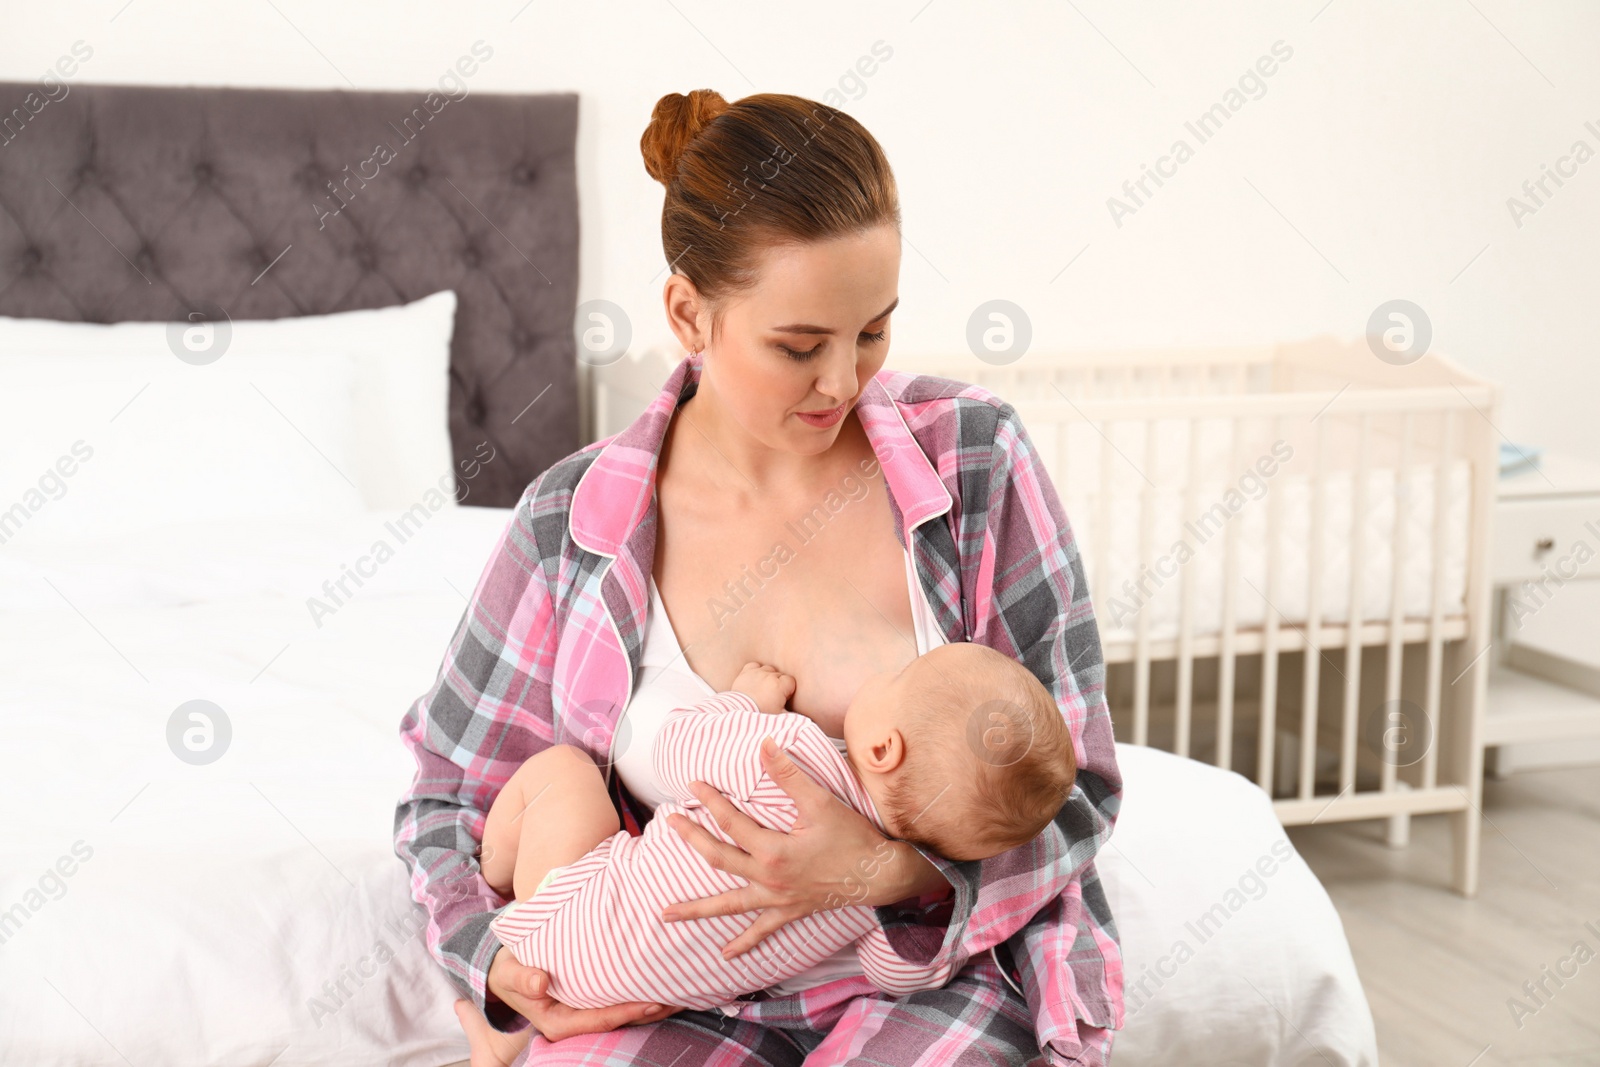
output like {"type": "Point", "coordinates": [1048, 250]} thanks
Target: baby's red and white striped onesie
{"type": "Point", "coordinates": [598, 932]}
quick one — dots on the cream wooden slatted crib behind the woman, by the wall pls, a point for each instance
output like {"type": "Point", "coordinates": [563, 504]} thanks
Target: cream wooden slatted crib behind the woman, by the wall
{"type": "Point", "coordinates": [1287, 549]}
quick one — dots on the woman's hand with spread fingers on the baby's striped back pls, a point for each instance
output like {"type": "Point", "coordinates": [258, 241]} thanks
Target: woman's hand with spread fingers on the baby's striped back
{"type": "Point", "coordinates": [833, 858]}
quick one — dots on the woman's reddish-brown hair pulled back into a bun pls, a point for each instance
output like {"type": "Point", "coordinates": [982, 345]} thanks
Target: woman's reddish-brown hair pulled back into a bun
{"type": "Point", "coordinates": [769, 169]}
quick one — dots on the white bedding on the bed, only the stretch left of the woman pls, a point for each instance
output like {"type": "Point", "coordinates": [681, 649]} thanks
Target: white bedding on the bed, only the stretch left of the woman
{"type": "Point", "coordinates": [247, 908]}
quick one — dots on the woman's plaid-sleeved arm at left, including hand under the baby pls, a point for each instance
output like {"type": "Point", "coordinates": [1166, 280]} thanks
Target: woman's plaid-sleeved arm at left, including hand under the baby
{"type": "Point", "coordinates": [487, 713]}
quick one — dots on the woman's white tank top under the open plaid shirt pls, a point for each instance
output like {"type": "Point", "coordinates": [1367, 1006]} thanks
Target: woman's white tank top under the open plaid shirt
{"type": "Point", "coordinates": [668, 684]}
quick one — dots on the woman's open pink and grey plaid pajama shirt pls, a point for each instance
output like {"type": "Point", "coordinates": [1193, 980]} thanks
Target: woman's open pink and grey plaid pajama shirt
{"type": "Point", "coordinates": [548, 650]}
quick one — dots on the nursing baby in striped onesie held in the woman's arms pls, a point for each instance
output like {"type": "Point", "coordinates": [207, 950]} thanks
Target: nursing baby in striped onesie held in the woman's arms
{"type": "Point", "coordinates": [962, 753]}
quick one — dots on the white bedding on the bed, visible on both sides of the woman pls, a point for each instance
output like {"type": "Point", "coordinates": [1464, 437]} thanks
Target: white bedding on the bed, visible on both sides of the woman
{"type": "Point", "coordinates": [252, 911]}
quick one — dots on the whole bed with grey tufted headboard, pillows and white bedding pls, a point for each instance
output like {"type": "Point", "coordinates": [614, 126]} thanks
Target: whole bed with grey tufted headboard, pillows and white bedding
{"type": "Point", "coordinates": [217, 599]}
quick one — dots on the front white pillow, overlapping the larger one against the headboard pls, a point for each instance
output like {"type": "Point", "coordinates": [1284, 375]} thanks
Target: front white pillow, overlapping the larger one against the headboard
{"type": "Point", "coordinates": [98, 439]}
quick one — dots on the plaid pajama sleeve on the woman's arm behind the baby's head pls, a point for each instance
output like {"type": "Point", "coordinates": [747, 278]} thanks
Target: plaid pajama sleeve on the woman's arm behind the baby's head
{"type": "Point", "coordinates": [1031, 601]}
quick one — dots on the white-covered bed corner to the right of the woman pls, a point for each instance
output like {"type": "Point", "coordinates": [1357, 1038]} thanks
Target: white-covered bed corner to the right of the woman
{"type": "Point", "coordinates": [1233, 953]}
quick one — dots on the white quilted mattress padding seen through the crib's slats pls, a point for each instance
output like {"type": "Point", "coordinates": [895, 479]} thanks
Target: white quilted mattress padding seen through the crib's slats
{"type": "Point", "coordinates": [1188, 541]}
